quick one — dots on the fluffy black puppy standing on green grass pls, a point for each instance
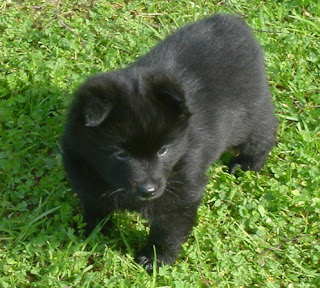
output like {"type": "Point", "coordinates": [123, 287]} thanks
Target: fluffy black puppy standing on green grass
{"type": "Point", "coordinates": [142, 138]}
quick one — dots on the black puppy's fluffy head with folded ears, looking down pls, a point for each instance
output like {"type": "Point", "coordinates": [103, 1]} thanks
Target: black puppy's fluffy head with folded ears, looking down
{"type": "Point", "coordinates": [134, 129]}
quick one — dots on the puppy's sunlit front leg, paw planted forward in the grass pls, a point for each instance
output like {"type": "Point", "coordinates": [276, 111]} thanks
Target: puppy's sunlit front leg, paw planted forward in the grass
{"type": "Point", "coordinates": [168, 232]}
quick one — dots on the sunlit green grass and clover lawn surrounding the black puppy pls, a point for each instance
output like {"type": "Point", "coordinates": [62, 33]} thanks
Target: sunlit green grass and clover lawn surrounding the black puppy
{"type": "Point", "coordinates": [259, 230]}
